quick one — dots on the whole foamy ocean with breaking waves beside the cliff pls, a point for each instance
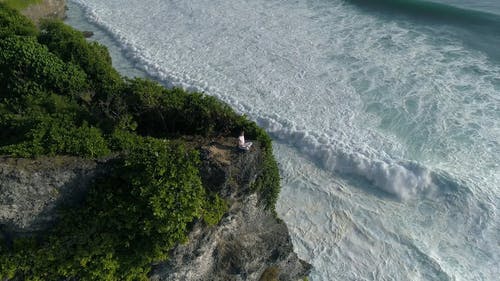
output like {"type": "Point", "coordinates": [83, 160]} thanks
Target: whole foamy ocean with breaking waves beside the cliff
{"type": "Point", "coordinates": [385, 116]}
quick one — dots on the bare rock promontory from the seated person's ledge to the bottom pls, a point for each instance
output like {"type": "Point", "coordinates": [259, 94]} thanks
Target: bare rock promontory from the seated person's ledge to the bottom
{"type": "Point", "coordinates": [250, 243]}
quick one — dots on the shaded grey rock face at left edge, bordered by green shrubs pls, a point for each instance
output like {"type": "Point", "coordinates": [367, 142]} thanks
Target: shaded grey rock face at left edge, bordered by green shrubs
{"type": "Point", "coordinates": [30, 190]}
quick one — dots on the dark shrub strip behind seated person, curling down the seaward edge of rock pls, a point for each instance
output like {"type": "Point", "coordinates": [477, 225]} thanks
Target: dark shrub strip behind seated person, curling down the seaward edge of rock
{"type": "Point", "coordinates": [163, 112]}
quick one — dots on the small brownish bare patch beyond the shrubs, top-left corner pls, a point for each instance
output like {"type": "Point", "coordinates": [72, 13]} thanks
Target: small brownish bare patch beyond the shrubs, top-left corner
{"type": "Point", "coordinates": [55, 9]}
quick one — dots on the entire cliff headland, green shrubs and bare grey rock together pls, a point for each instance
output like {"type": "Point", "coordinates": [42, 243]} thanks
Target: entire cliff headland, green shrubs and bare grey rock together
{"type": "Point", "coordinates": [72, 218]}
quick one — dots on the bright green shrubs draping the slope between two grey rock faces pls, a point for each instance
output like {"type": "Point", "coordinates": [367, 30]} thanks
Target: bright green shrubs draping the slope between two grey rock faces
{"type": "Point", "coordinates": [130, 219]}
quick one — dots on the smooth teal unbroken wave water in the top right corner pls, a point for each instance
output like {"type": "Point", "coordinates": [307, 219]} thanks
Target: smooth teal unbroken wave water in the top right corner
{"type": "Point", "coordinates": [475, 23]}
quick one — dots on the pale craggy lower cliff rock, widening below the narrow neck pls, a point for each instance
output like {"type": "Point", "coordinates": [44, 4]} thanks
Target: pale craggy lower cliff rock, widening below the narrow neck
{"type": "Point", "coordinates": [246, 243]}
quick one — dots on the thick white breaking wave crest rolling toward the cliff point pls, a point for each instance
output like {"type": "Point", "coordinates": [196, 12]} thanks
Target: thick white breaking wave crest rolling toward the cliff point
{"type": "Point", "coordinates": [402, 179]}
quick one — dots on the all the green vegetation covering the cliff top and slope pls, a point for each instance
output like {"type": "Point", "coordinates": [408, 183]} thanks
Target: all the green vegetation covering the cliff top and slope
{"type": "Point", "coordinates": [60, 95]}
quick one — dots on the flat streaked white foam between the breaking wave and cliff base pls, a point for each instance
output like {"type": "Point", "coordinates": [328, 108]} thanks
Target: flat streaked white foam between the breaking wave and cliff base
{"type": "Point", "coordinates": [349, 236]}
